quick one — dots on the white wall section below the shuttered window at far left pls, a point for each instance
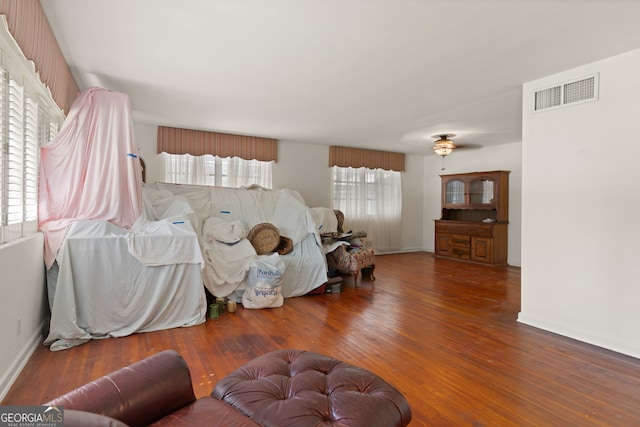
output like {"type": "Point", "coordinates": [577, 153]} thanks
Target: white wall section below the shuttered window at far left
{"type": "Point", "coordinates": [23, 301]}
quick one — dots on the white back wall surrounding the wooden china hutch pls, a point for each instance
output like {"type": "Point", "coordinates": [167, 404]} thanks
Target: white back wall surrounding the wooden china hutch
{"type": "Point", "coordinates": [503, 157]}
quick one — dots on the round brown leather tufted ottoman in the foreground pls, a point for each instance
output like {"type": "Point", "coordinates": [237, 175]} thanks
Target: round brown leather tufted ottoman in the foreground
{"type": "Point", "coordinates": [300, 388]}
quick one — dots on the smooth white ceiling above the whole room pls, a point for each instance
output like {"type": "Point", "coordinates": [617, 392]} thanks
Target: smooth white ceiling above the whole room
{"type": "Point", "coordinates": [379, 74]}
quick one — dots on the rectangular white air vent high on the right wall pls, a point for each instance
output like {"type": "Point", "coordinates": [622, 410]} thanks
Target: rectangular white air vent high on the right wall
{"type": "Point", "coordinates": [573, 92]}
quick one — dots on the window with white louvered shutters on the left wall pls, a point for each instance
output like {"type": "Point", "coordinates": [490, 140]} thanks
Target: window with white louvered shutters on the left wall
{"type": "Point", "coordinates": [28, 119]}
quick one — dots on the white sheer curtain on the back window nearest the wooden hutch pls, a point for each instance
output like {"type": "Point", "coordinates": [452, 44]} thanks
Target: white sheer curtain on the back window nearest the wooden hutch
{"type": "Point", "coordinates": [371, 200]}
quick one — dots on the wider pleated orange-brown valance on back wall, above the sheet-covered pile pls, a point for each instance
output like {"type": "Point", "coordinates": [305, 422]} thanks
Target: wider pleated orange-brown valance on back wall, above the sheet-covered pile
{"type": "Point", "coordinates": [198, 143]}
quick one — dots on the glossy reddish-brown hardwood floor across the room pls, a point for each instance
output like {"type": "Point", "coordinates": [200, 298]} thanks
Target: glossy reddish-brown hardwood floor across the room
{"type": "Point", "coordinates": [443, 332]}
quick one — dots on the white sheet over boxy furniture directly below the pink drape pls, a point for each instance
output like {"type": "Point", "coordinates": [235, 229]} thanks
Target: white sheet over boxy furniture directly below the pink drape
{"type": "Point", "coordinates": [112, 282]}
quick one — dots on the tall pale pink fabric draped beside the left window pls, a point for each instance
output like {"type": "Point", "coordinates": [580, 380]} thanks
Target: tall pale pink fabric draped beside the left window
{"type": "Point", "coordinates": [90, 170]}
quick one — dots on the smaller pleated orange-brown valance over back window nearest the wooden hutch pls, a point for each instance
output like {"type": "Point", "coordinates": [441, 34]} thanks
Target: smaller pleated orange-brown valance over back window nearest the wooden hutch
{"type": "Point", "coordinates": [373, 159]}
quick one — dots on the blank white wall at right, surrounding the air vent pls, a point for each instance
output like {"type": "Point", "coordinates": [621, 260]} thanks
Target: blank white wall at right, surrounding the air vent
{"type": "Point", "coordinates": [581, 204]}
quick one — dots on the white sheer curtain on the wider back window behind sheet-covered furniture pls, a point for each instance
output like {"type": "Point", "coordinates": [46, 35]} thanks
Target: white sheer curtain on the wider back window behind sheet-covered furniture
{"type": "Point", "coordinates": [215, 171]}
